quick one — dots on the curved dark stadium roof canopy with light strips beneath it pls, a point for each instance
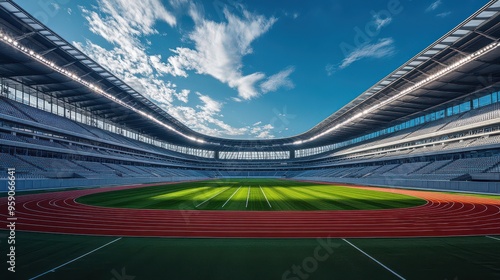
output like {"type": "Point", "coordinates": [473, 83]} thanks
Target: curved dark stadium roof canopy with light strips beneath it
{"type": "Point", "coordinates": [457, 66]}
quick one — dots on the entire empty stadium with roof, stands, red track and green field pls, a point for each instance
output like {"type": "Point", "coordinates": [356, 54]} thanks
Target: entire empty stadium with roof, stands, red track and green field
{"type": "Point", "coordinates": [99, 182]}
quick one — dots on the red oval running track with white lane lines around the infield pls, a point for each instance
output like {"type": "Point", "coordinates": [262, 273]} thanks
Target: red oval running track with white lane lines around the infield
{"type": "Point", "coordinates": [442, 215]}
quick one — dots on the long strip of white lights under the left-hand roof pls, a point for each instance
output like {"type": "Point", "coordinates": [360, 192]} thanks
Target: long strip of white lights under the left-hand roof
{"type": "Point", "coordinates": [13, 43]}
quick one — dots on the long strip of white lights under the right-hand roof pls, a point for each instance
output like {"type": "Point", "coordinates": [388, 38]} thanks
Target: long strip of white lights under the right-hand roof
{"type": "Point", "coordinates": [429, 79]}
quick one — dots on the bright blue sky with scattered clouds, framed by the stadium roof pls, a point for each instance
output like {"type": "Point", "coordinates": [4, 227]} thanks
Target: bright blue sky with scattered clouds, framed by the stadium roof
{"type": "Point", "coordinates": [251, 69]}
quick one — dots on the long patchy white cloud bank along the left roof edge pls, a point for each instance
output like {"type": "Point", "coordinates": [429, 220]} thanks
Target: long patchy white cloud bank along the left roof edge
{"type": "Point", "coordinates": [130, 61]}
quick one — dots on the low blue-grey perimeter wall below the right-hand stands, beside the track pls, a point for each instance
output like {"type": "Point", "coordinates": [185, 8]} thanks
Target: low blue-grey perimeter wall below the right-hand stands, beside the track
{"type": "Point", "coordinates": [479, 187]}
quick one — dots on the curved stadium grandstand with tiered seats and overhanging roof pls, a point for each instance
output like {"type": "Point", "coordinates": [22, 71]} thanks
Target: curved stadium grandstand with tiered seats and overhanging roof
{"type": "Point", "coordinates": [434, 122]}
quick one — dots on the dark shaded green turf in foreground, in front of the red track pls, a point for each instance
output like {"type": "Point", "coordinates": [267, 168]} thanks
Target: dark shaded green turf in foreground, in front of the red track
{"type": "Point", "coordinates": [65, 257]}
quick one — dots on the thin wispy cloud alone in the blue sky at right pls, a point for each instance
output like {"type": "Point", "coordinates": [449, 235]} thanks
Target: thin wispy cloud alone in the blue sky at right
{"type": "Point", "coordinates": [383, 48]}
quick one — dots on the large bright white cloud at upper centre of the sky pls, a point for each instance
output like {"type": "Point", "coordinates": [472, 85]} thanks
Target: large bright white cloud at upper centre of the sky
{"type": "Point", "coordinates": [220, 47]}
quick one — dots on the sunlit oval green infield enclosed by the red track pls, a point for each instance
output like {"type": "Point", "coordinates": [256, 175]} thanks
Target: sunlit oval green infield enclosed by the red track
{"type": "Point", "coordinates": [251, 194]}
